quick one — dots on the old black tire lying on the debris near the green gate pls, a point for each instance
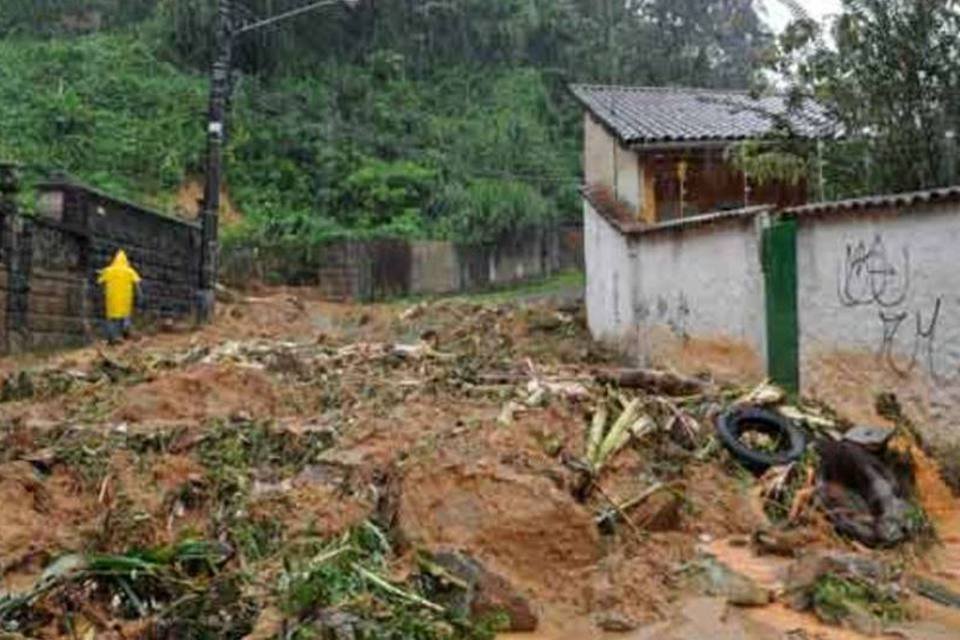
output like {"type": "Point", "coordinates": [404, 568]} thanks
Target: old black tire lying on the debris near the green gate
{"type": "Point", "coordinates": [733, 424]}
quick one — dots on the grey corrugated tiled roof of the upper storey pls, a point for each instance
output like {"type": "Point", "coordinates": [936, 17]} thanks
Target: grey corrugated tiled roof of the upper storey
{"type": "Point", "coordinates": [646, 115]}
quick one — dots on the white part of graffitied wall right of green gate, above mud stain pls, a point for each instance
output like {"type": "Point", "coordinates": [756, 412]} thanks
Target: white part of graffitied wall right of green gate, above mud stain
{"type": "Point", "coordinates": [859, 274]}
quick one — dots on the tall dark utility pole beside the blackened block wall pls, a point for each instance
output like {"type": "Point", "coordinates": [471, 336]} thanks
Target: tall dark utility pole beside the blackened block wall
{"type": "Point", "coordinates": [216, 130]}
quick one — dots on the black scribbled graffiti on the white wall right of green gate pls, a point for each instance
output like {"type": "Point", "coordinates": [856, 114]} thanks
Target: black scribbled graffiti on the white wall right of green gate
{"type": "Point", "coordinates": [872, 276]}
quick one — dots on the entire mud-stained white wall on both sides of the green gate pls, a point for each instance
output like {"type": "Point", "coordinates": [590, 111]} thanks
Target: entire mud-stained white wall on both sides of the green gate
{"type": "Point", "coordinates": [878, 298]}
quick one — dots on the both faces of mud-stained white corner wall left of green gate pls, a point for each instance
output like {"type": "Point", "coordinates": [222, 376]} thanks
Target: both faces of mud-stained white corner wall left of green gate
{"type": "Point", "coordinates": [685, 296]}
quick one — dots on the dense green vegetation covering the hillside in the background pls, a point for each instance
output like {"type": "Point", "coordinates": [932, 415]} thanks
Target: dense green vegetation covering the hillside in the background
{"type": "Point", "coordinates": [447, 119]}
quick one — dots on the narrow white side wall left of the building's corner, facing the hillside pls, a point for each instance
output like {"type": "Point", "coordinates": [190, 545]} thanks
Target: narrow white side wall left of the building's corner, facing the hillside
{"type": "Point", "coordinates": [611, 278]}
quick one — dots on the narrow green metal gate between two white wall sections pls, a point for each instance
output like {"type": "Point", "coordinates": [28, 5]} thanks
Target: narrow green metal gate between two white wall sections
{"type": "Point", "coordinates": [780, 279]}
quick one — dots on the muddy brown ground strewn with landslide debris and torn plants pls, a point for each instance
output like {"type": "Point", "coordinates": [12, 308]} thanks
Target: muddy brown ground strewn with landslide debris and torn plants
{"type": "Point", "coordinates": [304, 469]}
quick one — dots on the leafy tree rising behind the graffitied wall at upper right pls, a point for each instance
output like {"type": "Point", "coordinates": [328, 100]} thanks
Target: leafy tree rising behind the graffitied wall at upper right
{"type": "Point", "coordinates": [891, 79]}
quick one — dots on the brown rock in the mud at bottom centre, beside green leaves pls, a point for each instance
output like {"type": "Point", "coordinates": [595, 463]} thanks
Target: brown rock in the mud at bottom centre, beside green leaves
{"type": "Point", "coordinates": [462, 583]}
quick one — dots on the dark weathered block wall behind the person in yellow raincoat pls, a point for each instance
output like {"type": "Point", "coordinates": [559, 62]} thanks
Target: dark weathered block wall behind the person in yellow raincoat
{"type": "Point", "coordinates": [50, 262]}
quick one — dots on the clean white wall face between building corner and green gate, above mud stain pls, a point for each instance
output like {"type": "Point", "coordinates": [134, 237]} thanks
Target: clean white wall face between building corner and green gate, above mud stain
{"type": "Point", "coordinates": [701, 282]}
